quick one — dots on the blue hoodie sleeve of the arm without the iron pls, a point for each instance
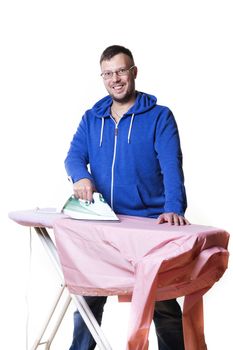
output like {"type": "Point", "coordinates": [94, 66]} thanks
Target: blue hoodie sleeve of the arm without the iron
{"type": "Point", "coordinates": [167, 146]}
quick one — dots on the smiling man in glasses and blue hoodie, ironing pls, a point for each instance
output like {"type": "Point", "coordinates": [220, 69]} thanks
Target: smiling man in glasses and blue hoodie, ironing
{"type": "Point", "coordinates": [132, 147]}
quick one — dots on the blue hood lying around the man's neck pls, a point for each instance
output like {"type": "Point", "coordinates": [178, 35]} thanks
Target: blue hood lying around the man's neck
{"type": "Point", "coordinates": [143, 103]}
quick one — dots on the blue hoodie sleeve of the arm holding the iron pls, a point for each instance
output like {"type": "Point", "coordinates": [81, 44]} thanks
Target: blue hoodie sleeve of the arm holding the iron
{"type": "Point", "coordinates": [77, 158]}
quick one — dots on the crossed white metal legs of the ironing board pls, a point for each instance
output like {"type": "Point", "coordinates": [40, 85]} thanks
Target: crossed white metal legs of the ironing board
{"type": "Point", "coordinates": [79, 301]}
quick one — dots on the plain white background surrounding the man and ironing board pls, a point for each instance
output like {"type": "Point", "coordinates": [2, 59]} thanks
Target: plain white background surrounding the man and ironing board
{"type": "Point", "coordinates": [50, 75]}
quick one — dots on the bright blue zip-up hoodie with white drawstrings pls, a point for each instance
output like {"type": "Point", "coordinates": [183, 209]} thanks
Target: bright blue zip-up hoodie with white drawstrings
{"type": "Point", "coordinates": [137, 163]}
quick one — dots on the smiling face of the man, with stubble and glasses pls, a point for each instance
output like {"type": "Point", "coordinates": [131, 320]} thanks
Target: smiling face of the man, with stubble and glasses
{"type": "Point", "coordinates": [120, 87]}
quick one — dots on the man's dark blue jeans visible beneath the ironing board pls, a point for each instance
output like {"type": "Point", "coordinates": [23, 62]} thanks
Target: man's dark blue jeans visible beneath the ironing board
{"type": "Point", "coordinates": [167, 319]}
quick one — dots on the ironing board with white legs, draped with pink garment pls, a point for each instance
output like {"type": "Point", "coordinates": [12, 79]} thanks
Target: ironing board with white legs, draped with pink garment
{"type": "Point", "coordinates": [138, 261]}
